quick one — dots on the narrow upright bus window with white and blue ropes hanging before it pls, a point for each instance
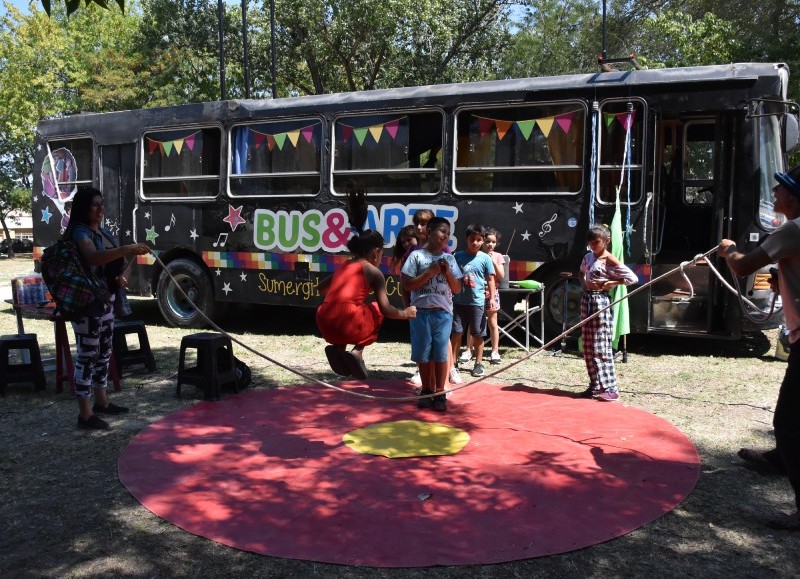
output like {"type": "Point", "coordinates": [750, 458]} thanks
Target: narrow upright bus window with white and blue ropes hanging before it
{"type": "Point", "coordinates": [621, 151]}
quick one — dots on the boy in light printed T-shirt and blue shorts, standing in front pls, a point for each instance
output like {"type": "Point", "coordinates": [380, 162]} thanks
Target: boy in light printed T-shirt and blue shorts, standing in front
{"type": "Point", "coordinates": [432, 276]}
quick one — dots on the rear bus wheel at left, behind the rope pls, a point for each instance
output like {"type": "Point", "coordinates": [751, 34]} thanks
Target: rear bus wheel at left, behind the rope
{"type": "Point", "coordinates": [176, 309]}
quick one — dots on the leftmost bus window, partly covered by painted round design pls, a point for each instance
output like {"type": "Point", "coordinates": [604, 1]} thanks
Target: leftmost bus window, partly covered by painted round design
{"type": "Point", "coordinates": [67, 166]}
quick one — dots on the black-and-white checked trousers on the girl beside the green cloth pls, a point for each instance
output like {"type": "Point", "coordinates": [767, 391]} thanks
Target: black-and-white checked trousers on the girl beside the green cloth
{"type": "Point", "coordinates": [596, 335]}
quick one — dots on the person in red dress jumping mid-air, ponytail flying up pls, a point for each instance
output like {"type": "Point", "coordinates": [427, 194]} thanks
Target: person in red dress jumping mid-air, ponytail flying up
{"type": "Point", "coordinates": [345, 317]}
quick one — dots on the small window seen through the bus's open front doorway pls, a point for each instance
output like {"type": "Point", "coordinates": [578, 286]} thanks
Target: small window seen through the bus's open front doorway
{"type": "Point", "coordinates": [698, 169]}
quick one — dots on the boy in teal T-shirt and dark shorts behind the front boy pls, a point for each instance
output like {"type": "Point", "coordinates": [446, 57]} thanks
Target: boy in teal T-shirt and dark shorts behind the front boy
{"type": "Point", "coordinates": [469, 304]}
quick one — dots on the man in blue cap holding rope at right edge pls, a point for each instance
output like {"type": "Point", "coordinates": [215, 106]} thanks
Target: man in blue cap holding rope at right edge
{"type": "Point", "coordinates": [782, 246]}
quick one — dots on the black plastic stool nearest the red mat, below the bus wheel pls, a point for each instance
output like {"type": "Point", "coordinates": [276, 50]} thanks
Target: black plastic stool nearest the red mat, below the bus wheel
{"type": "Point", "coordinates": [215, 365]}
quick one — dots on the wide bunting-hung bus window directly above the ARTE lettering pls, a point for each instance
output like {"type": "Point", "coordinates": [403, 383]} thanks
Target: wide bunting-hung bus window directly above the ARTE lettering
{"type": "Point", "coordinates": [389, 153]}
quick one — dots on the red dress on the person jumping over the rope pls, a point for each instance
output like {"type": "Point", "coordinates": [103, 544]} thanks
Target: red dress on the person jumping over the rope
{"type": "Point", "coordinates": [345, 317]}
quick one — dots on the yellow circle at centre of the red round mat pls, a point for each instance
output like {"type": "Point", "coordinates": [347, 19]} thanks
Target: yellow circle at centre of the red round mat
{"type": "Point", "coordinates": [406, 438]}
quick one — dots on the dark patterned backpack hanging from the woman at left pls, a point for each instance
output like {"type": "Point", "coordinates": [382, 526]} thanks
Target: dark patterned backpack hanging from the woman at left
{"type": "Point", "coordinates": [72, 285]}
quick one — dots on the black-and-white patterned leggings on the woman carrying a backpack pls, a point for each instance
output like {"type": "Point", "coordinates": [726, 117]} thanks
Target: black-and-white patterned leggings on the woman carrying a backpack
{"type": "Point", "coordinates": [93, 341]}
